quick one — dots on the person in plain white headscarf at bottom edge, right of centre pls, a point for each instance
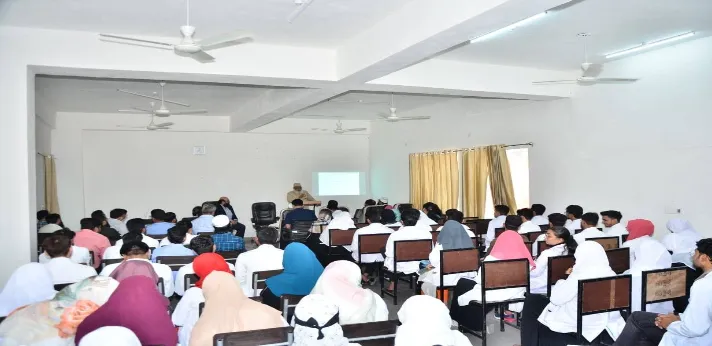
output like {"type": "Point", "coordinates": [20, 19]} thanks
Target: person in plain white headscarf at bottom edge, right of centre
{"type": "Point", "coordinates": [415, 321]}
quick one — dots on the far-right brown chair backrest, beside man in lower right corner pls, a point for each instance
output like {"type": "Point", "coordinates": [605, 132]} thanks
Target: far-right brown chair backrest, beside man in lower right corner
{"type": "Point", "coordinates": [662, 285]}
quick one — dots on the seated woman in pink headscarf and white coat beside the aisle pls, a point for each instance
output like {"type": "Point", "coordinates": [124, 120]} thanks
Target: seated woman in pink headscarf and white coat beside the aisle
{"type": "Point", "coordinates": [509, 245]}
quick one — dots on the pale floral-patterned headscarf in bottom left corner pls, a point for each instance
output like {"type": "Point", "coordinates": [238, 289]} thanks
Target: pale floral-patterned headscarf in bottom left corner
{"type": "Point", "coordinates": [55, 322]}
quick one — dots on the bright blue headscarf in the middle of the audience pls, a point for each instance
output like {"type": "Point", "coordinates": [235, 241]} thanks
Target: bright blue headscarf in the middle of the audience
{"type": "Point", "coordinates": [301, 271]}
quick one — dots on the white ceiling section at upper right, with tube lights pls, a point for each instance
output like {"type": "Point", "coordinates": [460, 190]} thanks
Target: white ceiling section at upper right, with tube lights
{"type": "Point", "coordinates": [552, 42]}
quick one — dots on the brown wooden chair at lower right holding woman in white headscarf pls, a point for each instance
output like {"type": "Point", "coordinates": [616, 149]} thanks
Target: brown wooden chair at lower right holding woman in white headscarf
{"type": "Point", "coordinates": [600, 295]}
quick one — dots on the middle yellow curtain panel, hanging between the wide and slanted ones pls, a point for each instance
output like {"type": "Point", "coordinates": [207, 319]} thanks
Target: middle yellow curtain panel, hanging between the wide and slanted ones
{"type": "Point", "coordinates": [475, 172]}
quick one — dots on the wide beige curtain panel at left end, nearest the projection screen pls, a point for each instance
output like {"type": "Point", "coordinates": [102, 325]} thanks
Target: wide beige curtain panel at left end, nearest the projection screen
{"type": "Point", "coordinates": [434, 177]}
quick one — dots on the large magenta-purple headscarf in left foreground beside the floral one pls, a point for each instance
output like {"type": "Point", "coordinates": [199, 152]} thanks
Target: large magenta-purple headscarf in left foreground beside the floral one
{"type": "Point", "coordinates": [137, 305]}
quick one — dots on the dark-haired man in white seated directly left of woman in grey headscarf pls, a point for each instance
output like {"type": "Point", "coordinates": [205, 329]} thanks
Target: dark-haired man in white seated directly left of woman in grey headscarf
{"type": "Point", "coordinates": [409, 218]}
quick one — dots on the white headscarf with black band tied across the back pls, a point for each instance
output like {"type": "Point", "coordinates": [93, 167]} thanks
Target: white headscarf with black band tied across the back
{"type": "Point", "coordinates": [316, 320]}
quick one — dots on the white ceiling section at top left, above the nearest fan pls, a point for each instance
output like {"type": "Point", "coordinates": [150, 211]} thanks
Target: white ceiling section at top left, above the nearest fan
{"type": "Point", "coordinates": [326, 23]}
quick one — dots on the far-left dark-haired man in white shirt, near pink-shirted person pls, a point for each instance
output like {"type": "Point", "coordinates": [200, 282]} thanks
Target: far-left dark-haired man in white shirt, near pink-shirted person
{"type": "Point", "coordinates": [63, 269]}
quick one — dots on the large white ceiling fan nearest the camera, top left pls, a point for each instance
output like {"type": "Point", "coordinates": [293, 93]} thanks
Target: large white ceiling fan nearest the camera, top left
{"type": "Point", "coordinates": [188, 46]}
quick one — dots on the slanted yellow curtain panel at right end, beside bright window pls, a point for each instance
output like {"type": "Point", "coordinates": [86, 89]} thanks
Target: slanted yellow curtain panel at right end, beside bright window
{"type": "Point", "coordinates": [500, 177]}
